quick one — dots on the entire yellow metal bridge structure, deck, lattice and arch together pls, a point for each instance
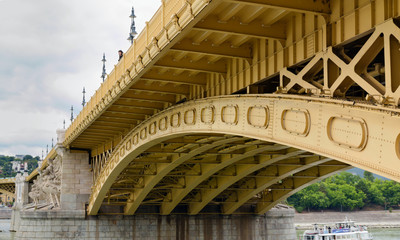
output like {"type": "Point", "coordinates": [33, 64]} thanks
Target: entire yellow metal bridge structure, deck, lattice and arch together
{"type": "Point", "coordinates": [324, 74]}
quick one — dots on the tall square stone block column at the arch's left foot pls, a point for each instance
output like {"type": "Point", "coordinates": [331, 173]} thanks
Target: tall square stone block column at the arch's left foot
{"type": "Point", "coordinates": [76, 178]}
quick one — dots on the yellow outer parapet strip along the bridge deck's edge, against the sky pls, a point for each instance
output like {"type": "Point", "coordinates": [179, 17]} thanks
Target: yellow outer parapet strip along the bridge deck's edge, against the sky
{"type": "Point", "coordinates": [163, 26]}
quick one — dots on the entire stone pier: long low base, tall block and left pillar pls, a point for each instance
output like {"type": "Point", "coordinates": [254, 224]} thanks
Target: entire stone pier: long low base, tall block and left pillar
{"type": "Point", "coordinates": [69, 219]}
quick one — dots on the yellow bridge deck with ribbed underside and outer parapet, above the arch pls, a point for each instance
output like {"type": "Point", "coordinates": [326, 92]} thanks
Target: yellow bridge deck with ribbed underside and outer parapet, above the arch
{"type": "Point", "coordinates": [195, 49]}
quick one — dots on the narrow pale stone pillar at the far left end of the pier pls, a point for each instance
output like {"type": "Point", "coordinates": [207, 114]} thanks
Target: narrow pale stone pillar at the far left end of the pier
{"type": "Point", "coordinates": [21, 198]}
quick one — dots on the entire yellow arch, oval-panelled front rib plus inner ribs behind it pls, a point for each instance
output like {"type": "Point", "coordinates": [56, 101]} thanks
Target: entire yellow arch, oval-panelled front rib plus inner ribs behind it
{"type": "Point", "coordinates": [255, 131]}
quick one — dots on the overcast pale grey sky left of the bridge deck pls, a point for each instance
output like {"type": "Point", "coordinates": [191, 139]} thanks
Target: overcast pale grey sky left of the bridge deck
{"type": "Point", "coordinates": [49, 51]}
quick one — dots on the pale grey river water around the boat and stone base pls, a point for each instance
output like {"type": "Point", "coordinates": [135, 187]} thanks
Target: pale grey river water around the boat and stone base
{"type": "Point", "coordinates": [378, 233]}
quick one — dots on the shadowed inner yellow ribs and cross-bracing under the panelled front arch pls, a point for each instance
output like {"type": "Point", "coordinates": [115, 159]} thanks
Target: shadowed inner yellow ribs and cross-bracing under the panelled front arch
{"type": "Point", "coordinates": [215, 173]}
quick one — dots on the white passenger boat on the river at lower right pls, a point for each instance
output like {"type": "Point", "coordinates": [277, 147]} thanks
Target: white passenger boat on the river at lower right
{"type": "Point", "coordinates": [340, 230]}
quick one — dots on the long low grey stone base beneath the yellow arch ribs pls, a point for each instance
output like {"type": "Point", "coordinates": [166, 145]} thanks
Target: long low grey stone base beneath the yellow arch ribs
{"type": "Point", "coordinates": [275, 225]}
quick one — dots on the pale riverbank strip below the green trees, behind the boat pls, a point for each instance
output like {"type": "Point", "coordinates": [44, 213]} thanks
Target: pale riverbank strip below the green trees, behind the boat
{"type": "Point", "coordinates": [373, 219]}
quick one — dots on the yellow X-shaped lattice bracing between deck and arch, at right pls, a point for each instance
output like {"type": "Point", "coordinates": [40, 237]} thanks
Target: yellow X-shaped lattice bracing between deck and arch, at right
{"type": "Point", "coordinates": [365, 70]}
